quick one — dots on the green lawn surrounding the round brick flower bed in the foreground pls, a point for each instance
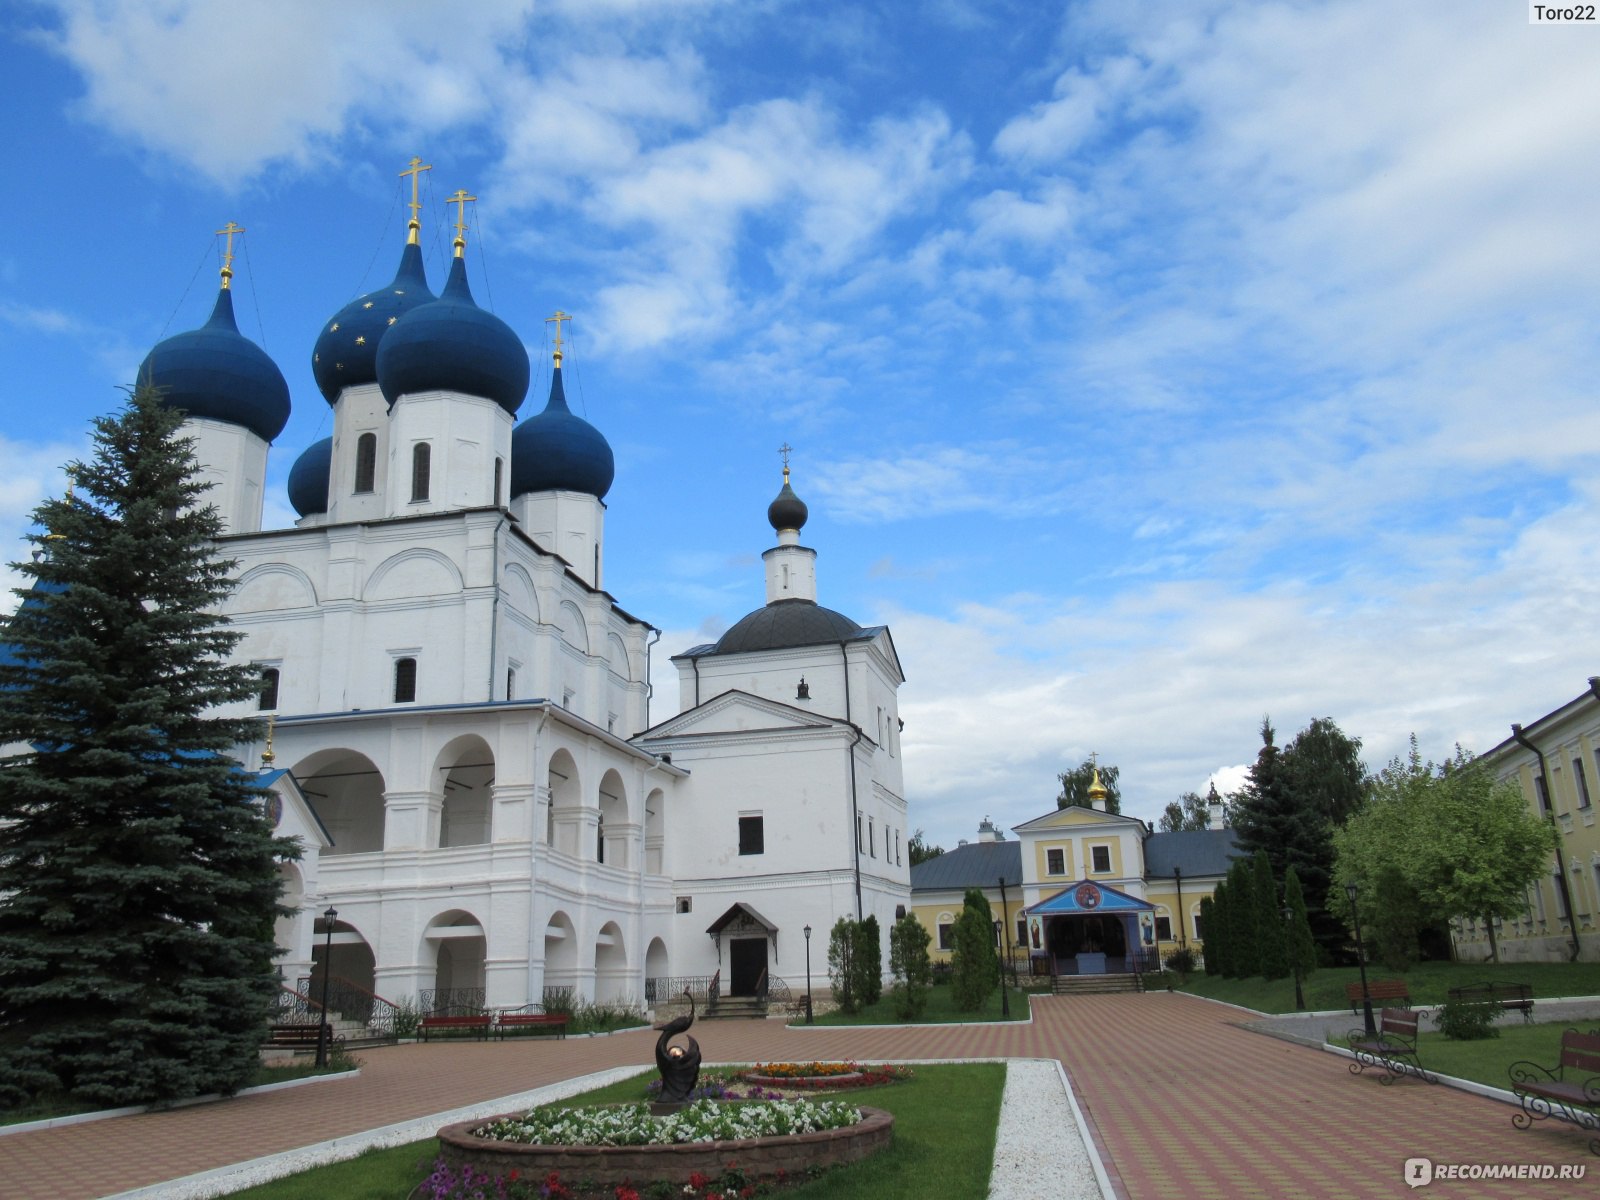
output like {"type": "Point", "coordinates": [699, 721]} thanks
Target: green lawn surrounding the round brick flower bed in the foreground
{"type": "Point", "coordinates": [945, 1129]}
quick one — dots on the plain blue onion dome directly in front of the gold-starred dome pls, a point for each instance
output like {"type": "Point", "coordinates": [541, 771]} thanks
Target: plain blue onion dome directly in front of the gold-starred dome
{"type": "Point", "coordinates": [454, 346]}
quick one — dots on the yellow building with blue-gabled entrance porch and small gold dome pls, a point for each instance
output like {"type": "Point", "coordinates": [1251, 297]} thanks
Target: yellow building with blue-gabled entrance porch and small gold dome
{"type": "Point", "coordinates": [1086, 892]}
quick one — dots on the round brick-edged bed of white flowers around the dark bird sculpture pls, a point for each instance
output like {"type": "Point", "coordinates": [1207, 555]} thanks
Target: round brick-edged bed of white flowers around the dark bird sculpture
{"type": "Point", "coordinates": [722, 1137]}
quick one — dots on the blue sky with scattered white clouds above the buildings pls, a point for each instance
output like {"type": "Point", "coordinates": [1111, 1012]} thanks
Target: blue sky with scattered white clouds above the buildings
{"type": "Point", "coordinates": [1150, 369]}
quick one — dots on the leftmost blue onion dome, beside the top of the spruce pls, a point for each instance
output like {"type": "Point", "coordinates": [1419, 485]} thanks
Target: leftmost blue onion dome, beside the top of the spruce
{"type": "Point", "coordinates": [218, 374]}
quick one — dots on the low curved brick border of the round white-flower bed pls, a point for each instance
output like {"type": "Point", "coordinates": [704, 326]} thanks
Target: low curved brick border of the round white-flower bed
{"type": "Point", "coordinates": [762, 1158]}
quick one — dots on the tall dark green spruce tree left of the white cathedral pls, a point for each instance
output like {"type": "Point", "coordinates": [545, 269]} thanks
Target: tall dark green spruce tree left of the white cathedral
{"type": "Point", "coordinates": [138, 871]}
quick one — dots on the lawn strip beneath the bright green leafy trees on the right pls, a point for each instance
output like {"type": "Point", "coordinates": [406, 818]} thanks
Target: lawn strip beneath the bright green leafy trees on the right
{"type": "Point", "coordinates": [1430, 983]}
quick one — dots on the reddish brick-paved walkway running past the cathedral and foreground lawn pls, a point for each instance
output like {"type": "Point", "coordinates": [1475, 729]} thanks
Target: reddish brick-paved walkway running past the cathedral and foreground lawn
{"type": "Point", "coordinates": [1180, 1098]}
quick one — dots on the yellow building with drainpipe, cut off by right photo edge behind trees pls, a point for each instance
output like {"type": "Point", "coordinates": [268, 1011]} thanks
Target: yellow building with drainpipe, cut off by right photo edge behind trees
{"type": "Point", "coordinates": [1556, 762]}
